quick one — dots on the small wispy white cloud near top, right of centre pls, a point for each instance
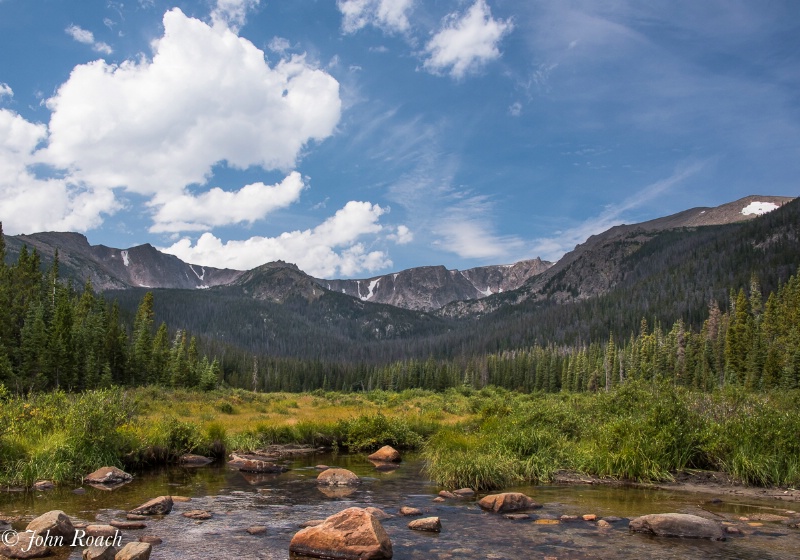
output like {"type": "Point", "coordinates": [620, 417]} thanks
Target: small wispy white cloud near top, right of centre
{"type": "Point", "coordinates": [466, 42]}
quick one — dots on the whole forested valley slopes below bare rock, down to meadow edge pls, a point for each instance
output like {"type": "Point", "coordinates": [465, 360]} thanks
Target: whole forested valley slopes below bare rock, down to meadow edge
{"type": "Point", "coordinates": [688, 305]}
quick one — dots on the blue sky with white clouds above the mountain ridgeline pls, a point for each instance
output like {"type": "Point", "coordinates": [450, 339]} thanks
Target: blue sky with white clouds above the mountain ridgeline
{"type": "Point", "coordinates": [360, 137]}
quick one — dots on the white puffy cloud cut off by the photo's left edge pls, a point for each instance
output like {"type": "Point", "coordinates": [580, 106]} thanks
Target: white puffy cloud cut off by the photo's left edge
{"type": "Point", "coordinates": [33, 203]}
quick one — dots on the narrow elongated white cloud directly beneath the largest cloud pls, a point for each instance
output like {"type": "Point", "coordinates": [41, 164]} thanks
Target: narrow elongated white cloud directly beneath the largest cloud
{"type": "Point", "coordinates": [217, 207]}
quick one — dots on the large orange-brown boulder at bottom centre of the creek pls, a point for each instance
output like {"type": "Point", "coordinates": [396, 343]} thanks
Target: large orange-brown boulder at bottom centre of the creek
{"type": "Point", "coordinates": [352, 534]}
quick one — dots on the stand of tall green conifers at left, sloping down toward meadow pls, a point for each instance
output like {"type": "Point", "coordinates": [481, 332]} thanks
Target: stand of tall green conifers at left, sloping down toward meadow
{"type": "Point", "coordinates": [53, 336]}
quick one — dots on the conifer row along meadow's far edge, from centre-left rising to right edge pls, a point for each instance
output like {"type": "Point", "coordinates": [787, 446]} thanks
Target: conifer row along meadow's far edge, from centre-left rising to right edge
{"type": "Point", "coordinates": [755, 345]}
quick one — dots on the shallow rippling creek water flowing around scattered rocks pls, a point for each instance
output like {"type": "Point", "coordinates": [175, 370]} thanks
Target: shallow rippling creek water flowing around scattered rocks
{"type": "Point", "coordinates": [281, 502]}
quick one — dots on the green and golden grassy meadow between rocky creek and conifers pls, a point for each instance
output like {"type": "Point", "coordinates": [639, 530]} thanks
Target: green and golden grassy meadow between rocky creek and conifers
{"type": "Point", "coordinates": [489, 438]}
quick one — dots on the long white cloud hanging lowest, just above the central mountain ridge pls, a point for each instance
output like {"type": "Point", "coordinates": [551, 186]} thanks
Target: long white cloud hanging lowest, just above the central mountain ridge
{"type": "Point", "coordinates": [329, 250]}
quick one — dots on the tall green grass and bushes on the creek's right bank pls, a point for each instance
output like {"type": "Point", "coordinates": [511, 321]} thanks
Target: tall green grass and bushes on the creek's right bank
{"type": "Point", "coordinates": [638, 432]}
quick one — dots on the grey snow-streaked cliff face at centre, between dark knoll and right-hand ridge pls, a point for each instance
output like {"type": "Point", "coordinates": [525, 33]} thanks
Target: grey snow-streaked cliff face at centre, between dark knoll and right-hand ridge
{"type": "Point", "coordinates": [431, 287]}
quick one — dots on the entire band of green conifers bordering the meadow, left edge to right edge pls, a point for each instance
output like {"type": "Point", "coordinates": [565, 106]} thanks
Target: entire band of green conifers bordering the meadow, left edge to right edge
{"type": "Point", "coordinates": [53, 336]}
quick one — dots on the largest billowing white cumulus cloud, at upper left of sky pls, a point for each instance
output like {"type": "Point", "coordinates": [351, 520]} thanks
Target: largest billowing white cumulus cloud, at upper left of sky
{"type": "Point", "coordinates": [207, 96]}
